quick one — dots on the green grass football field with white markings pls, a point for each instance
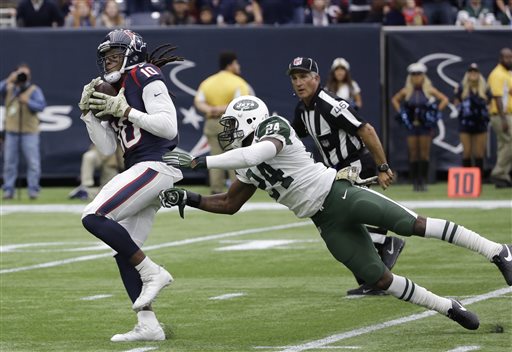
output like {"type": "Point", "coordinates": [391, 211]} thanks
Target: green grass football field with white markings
{"type": "Point", "coordinates": [60, 290]}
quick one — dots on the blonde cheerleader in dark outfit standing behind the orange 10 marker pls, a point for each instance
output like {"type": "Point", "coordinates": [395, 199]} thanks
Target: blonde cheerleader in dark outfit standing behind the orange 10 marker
{"type": "Point", "coordinates": [471, 99]}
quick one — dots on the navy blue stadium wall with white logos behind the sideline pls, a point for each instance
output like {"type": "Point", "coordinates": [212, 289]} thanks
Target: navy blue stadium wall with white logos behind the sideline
{"type": "Point", "coordinates": [63, 60]}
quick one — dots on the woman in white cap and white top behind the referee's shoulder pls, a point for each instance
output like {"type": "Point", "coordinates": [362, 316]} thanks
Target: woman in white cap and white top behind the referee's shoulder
{"type": "Point", "coordinates": [340, 83]}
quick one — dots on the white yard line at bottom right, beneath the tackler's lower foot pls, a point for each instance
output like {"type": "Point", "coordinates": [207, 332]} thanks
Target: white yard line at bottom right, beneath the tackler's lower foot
{"type": "Point", "coordinates": [353, 333]}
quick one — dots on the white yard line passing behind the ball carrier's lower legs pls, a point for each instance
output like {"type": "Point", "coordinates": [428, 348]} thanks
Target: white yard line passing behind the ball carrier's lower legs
{"type": "Point", "coordinates": [158, 246]}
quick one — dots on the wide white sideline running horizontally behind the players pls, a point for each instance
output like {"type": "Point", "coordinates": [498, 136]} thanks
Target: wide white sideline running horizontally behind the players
{"type": "Point", "coordinates": [412, 204]}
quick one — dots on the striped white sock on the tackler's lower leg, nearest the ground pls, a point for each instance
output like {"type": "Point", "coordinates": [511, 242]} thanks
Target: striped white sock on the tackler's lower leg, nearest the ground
{"type": "Point", "coordinates": [406, 290]}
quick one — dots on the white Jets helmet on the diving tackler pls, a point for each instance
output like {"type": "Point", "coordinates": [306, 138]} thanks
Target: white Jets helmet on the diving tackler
{"type": "Point", "coordinates": [242, 116]}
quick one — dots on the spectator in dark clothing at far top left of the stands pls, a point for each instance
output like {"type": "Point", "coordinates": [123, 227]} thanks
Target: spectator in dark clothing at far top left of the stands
{"type": "Point", "coordinates": [38, 13]}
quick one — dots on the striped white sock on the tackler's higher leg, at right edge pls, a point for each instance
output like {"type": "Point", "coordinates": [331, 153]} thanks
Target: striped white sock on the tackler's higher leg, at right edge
{"type": "Point", "coordinates": [462, 237]}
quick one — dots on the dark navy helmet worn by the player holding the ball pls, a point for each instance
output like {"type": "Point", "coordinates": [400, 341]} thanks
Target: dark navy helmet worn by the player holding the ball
{"type": "Point", "coordinates": [129, 44]}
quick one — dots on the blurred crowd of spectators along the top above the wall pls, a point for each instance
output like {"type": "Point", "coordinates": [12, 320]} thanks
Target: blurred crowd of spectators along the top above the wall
{"type": "Point", "coordinates": [119, 13]}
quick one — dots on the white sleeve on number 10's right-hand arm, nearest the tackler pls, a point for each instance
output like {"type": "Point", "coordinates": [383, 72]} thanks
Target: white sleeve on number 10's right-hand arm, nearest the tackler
{"type": "Point", "coordinates": [161, 118]}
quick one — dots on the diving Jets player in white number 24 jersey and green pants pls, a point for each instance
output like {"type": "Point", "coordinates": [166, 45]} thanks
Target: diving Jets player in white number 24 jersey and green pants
{"type": "Point", "coordinates": [267, 154]}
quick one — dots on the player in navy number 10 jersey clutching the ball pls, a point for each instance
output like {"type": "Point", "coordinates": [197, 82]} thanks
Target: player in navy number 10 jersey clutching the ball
{"type": "Point", "coordinates": [142, 117]}
